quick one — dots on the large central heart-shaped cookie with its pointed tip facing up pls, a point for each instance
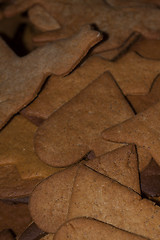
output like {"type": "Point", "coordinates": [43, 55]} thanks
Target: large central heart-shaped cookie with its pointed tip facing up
{"type": "Point", "coordinates": [74, 130]}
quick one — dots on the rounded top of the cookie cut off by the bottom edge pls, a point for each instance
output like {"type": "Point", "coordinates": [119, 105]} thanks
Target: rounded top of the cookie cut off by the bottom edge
{"type": "Point", "coordinates": [87, 228]}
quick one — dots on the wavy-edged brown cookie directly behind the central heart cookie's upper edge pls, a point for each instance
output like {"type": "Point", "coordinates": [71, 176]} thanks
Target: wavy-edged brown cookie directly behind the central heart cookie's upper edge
{"type": "Point", "coordinates": [59, 90]}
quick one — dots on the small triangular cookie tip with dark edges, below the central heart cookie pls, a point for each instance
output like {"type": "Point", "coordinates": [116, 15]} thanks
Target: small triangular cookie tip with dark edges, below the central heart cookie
{"type": "Point", "coordinates": [120, 164]}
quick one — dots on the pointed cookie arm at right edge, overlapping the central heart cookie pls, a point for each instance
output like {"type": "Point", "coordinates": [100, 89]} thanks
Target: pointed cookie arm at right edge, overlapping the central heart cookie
{"type": "Point", "coordinates": [142, 130]}
